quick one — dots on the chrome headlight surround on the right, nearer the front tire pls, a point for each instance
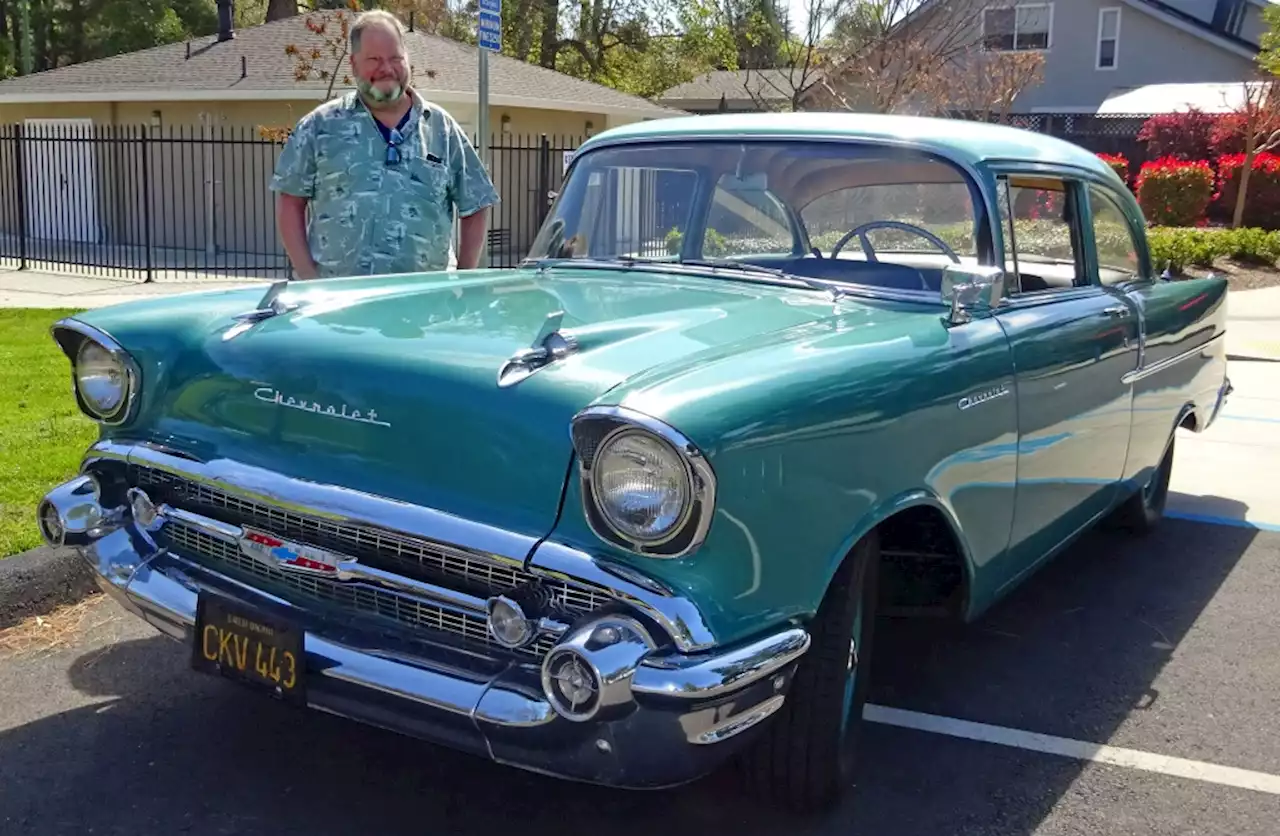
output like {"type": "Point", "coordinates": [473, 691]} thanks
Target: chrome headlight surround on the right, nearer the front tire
{"type": "Point", "coordinates": [593, 431]}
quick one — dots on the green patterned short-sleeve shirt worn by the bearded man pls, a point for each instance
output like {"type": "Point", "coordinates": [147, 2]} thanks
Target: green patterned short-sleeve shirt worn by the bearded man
{"type": "Point", "coordinates": [371, 216]}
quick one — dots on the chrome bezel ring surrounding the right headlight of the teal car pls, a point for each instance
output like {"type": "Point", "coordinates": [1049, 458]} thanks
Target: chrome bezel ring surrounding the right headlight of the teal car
{"type": "Point", "coordinates": [702, 478]}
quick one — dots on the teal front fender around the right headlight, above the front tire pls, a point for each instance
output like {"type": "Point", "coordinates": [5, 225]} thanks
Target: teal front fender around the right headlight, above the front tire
{"type": "Point", "coordinates": [815, 437]}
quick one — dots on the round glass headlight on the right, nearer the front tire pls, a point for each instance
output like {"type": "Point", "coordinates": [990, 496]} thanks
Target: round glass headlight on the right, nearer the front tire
{"type": "Point", "coordinates": [642, 486]}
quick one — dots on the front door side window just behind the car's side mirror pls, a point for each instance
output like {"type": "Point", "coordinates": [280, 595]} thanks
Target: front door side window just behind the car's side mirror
{"type": "Point", "coordinates": [1043, 235]}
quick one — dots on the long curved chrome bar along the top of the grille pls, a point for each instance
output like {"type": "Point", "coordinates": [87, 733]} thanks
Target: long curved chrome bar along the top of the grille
{"type": "Point", "coordinates": [679, 616]}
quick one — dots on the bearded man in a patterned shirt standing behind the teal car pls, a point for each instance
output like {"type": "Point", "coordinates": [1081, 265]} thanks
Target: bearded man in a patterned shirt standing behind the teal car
{"type": "Point", "coordinates": [382, 171]}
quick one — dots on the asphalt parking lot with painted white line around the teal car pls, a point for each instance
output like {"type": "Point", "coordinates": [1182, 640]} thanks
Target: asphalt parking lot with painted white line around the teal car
{"type": "Point", "coordinates": [1153, 665]}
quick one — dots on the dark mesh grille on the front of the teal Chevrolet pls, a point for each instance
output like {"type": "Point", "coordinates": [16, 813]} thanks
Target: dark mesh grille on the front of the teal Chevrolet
{"type": "Point", "coordinates": [412, 558]}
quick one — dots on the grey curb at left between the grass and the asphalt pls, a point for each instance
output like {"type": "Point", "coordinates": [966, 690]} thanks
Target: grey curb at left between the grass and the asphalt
{"type": "Point", "coordinates": [39, 582]}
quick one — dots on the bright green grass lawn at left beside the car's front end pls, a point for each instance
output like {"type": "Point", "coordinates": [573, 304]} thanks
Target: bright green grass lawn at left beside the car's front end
{"type": "Point", "coordinates": [43, 433]}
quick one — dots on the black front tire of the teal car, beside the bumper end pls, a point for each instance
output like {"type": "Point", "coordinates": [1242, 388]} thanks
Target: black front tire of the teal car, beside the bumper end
{"type": "Point", "coordinates": [806, 759]}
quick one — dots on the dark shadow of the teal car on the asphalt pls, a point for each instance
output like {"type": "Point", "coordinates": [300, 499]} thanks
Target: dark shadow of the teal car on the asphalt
{"type": "Point", "coordinates": [1075, 652]}
